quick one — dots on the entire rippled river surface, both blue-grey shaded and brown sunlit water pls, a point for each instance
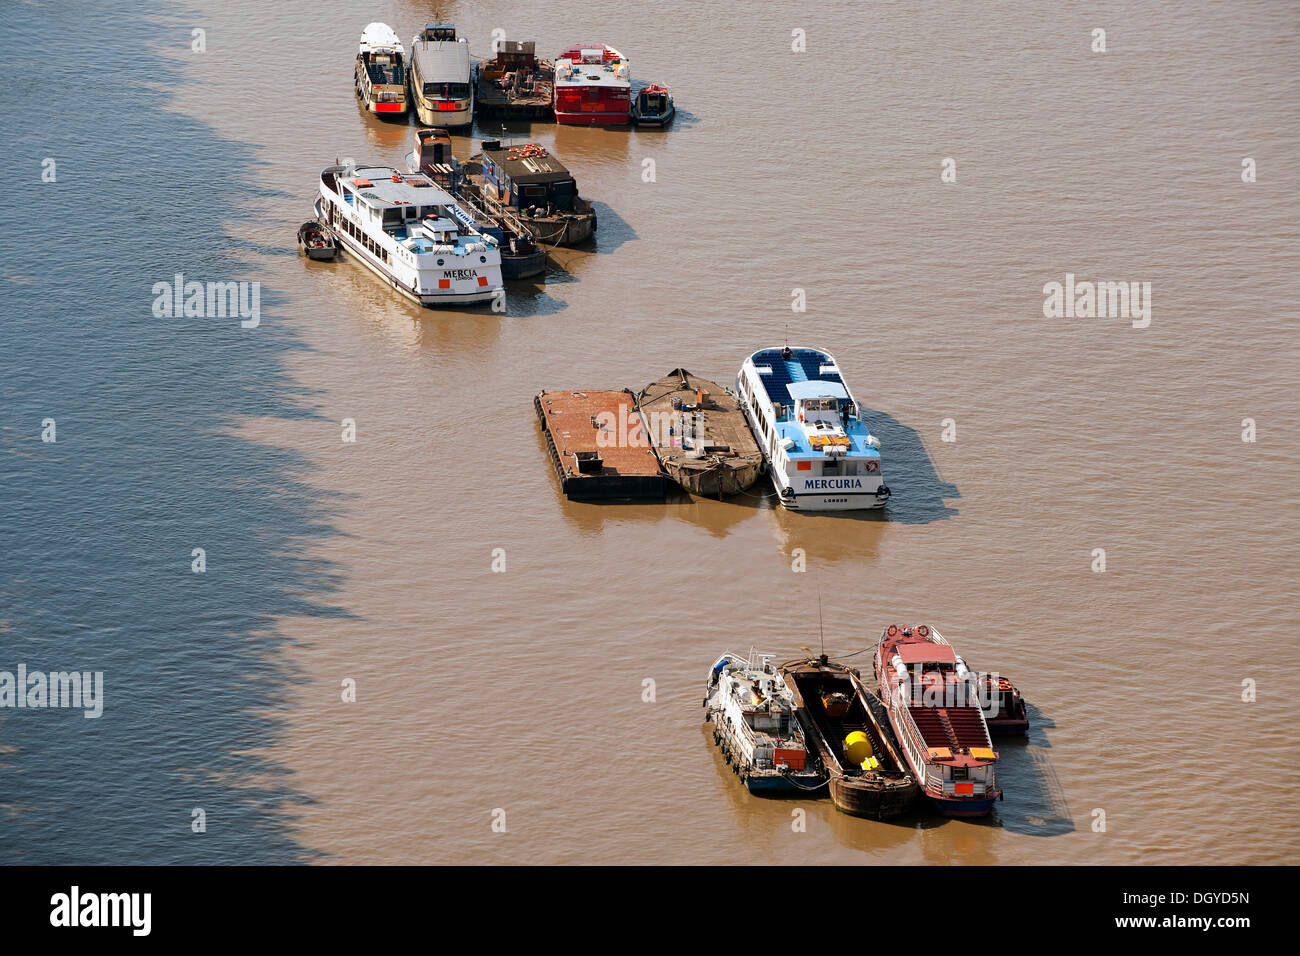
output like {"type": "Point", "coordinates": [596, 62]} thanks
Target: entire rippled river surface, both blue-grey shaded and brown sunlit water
{"type": "Point", "coordinates": [523, 691]}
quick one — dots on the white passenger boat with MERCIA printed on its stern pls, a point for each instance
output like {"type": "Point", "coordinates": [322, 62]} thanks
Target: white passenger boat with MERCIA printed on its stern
{"type": "Point", "coordinates": [410, 233]}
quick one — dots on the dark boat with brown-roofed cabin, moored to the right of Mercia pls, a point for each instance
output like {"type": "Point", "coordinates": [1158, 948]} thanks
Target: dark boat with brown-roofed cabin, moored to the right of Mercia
{"type": "Point", "coordinates": [534, 187]}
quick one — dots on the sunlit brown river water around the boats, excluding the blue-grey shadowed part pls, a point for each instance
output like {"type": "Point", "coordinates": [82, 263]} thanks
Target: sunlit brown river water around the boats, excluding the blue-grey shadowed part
{"type": "Point", "coordinates": [522, 691]}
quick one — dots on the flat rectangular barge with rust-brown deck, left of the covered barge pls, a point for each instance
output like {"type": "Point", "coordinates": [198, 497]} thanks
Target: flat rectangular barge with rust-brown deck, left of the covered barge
{"type": "Point", "coordinates": [599, 448]}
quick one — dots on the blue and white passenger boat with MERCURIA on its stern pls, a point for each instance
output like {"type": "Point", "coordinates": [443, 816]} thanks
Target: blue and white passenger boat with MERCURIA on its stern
{"type": "Point", "coordinates": [820, 452]}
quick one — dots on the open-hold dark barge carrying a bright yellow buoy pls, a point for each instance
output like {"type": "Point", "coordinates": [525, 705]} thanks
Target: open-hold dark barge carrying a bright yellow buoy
{"type": "Point", "coordinates": [850, 733]}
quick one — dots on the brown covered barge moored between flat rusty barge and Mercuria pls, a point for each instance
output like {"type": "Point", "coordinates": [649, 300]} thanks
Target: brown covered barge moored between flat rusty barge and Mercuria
{"type": "Point", "coordinates": [700, 435]}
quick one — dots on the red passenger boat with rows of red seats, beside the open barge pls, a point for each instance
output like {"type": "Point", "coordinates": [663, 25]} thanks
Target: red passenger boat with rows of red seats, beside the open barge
{"type": "Point", "coordinates": [931, 699]}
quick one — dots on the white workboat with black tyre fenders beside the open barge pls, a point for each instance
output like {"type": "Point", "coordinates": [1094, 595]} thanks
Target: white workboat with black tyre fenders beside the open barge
{"type": "Point", "coordinates": [755, 725]}
